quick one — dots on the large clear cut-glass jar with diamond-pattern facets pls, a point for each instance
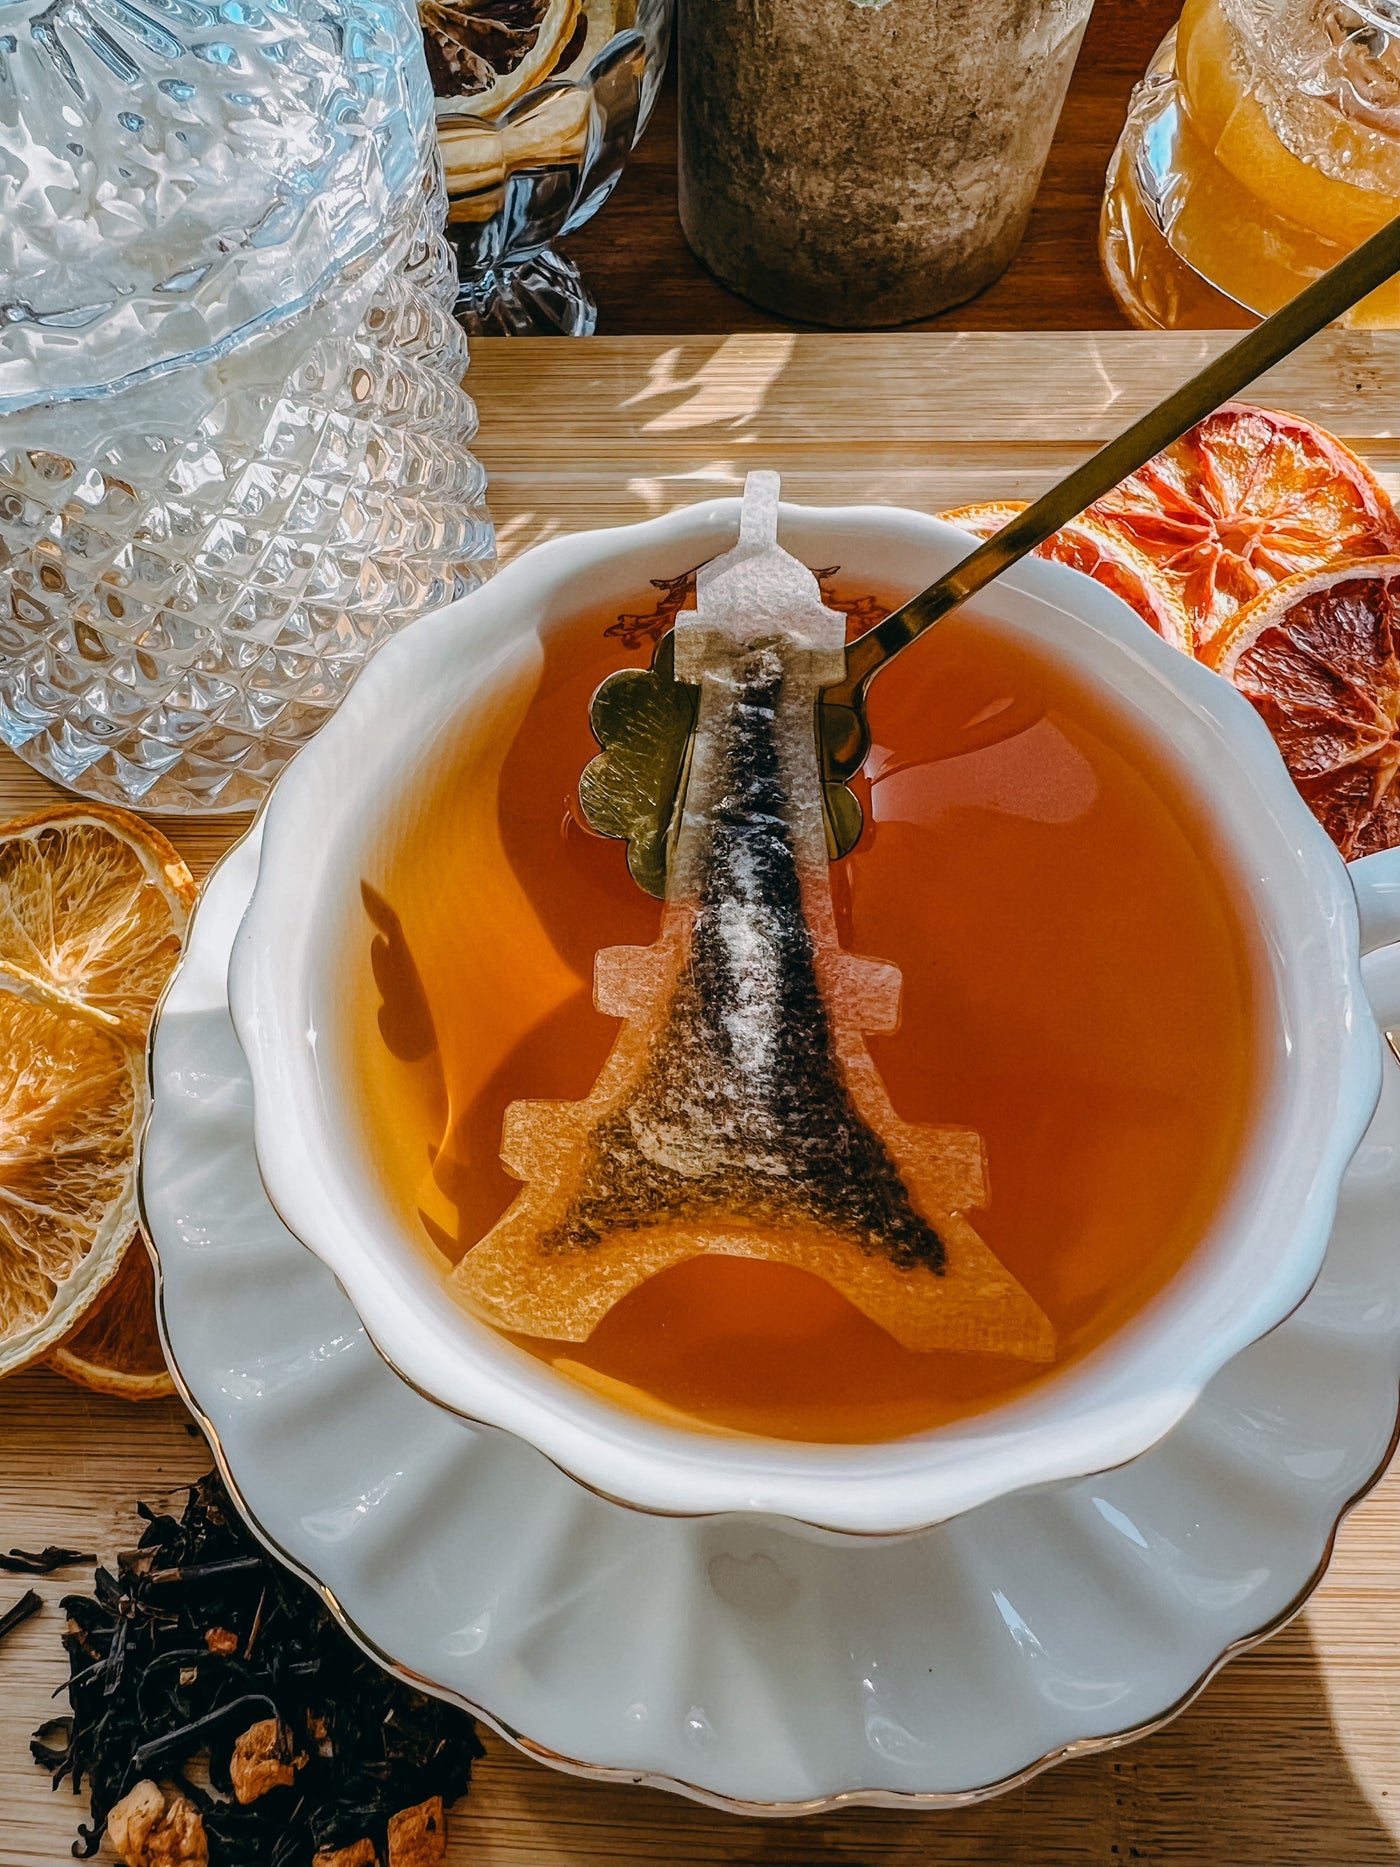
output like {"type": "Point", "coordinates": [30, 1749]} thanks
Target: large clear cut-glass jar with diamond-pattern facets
{"type": "Point", "coordinates": [234, 443]}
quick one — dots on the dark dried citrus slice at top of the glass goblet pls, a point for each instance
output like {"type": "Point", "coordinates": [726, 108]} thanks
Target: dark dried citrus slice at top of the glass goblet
{"type": "Point", "coordinates": [488, 53]}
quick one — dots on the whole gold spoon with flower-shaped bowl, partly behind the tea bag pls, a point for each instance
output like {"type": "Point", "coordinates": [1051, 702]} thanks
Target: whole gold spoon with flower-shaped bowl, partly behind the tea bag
{"type": "Point", "coordinates": [645, 718]}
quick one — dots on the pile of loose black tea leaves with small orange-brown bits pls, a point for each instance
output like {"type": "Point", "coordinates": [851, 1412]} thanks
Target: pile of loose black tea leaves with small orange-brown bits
{"type": "Point", "coordinates": [206, 1668]}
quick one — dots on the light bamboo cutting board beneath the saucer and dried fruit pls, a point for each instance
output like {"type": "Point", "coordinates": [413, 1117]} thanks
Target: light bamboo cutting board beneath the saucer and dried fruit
{"type": "Point", "coordinates": [1295, 1754]}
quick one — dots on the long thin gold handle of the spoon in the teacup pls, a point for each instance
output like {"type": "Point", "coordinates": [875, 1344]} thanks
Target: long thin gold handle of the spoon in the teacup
{"type": "Point", "coordinates": [1345, 285]}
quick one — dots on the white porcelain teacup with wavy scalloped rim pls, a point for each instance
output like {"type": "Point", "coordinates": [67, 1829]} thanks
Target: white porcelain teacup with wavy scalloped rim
{"type": "Point", "coordinates": [339, 809]}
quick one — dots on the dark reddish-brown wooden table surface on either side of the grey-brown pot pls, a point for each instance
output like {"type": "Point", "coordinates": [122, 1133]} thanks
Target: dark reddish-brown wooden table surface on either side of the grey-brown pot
{"type": "Point", "coordinates": [649, 281]}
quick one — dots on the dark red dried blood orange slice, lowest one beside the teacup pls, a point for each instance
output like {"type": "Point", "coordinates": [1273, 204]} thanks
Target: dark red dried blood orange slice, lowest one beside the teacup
{"type": "Point", "coordinates": [1321, 660]}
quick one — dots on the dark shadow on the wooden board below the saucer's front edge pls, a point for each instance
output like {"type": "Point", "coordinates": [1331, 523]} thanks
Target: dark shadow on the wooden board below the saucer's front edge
{"type": "Point", "coordinates": [1252, 1776]}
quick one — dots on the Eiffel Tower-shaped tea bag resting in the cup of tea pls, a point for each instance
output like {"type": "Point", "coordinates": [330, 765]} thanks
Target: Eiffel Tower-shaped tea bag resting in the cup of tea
{"type": "Point", "coordinates": [740, 1110]}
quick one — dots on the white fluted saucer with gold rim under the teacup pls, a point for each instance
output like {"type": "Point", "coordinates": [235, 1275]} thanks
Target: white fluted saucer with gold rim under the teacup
{"type": "Point", "coordinates": [742, 1663]}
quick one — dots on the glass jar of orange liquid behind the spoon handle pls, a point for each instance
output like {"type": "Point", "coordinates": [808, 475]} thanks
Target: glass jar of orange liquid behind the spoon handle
{"type": "Point", "coordinates": [1261, 148]}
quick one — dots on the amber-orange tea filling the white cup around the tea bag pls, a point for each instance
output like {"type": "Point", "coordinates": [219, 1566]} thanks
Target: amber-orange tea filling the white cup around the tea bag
{"type": "Point", "coordinates": [1076, 987]}
